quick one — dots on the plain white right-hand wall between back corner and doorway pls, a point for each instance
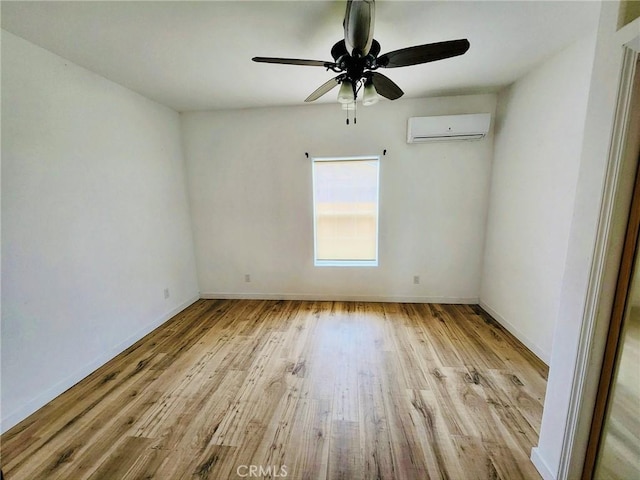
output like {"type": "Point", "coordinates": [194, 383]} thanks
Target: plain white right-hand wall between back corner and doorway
{"type": "Point", "coordinates": [538, 140]}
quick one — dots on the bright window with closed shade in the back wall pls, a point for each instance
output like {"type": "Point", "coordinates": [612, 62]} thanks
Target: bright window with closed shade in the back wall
{"type": "Point", "coordinates": [345, 205]}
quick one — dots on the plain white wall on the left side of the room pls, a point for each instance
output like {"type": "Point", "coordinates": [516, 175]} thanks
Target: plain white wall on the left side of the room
{"type": "Point", "coordinates": [95, 223]}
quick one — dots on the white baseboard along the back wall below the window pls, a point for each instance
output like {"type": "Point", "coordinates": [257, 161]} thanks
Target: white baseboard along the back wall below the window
{"type": "Point", "coordinates": [338, 298]}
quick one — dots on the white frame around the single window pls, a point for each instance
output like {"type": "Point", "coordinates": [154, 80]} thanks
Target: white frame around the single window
{"type": "Point", "coordinates": [346, 263]}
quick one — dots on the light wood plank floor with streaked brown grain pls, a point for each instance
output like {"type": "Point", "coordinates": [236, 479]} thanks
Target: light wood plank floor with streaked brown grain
{"type": "Point", "coordinates": [310, 390]}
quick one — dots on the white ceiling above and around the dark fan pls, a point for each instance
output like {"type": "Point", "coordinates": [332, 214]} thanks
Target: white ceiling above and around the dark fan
{"type": "Point", "coordinates": [197, 55]}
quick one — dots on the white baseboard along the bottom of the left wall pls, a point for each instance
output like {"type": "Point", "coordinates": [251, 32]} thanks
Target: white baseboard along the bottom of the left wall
{"type": "Point", "coordinates": [49, 394]}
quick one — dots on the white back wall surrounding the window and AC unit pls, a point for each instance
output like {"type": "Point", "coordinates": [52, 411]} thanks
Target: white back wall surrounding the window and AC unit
{"type": "Point", "coordinates": [251, 197]}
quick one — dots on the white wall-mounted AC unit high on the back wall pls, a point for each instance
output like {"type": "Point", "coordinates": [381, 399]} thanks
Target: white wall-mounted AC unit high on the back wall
{"type": "Point", "coordinates": [448, 127]}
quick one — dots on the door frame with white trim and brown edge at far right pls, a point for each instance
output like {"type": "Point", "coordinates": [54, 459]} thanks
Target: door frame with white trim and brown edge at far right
{"type": "Point", "coordinates": [615, 205]}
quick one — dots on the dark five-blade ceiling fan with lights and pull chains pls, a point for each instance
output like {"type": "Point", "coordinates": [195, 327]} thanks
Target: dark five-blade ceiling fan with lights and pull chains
{"type": "Point", "coordinates": [356, 59]}
